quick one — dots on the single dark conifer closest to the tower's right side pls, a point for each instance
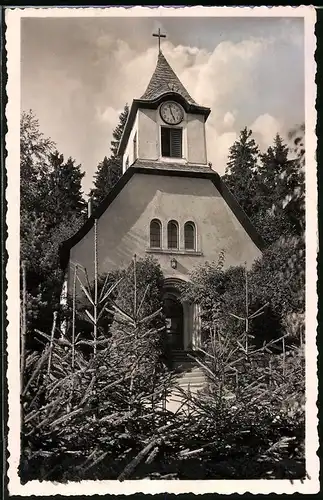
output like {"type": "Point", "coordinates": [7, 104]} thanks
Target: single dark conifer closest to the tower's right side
{"type": "Point", "coordinates": [241, 171]}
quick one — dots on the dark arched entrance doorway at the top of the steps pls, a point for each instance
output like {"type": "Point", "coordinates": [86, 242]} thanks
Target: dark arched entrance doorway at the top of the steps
{"type": "Point", "coordinates": [173, 311]}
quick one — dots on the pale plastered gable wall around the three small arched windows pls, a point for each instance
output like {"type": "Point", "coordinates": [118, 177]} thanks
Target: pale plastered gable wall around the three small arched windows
{"type": "Point", "coordinates": [123, 230]}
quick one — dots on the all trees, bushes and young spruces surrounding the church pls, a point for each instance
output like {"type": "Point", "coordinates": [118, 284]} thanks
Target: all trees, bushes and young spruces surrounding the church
{"type": "Point", "coordinates": [93, 397]}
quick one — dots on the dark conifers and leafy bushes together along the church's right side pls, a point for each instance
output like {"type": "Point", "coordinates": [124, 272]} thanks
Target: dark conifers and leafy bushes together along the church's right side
{"type": "Point", "coordinates": [271, 190]}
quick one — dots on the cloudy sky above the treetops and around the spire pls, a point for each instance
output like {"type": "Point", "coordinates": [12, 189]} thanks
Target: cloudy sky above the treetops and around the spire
{"type": "Point", "coordinates": [78, 73]}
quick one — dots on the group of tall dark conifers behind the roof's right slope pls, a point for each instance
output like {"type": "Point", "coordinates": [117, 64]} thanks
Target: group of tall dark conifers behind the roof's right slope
{"type": "Point", "coordinates": [270, 187]}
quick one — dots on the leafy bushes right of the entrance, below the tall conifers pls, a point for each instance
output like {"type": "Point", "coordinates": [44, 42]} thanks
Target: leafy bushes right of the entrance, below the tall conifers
{"type": "Point", "coordinates": [276, 283]}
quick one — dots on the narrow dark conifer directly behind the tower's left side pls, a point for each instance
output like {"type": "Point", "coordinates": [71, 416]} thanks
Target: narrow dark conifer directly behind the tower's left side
{"type": "Point", "coordinates": [109, 170]}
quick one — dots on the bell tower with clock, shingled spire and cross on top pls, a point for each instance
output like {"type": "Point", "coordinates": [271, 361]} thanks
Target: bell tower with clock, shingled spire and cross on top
{"type": "Point", "coordinates": [165, 126]}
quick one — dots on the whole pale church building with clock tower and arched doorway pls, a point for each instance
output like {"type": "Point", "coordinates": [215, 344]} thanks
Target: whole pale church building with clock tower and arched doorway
{"type": "Point", "coordinates": [169, 203]}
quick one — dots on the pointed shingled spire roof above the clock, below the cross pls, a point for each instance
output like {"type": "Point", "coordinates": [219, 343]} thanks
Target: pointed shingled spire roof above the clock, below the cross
{"type": "Point", "coordinates": [164, 80]}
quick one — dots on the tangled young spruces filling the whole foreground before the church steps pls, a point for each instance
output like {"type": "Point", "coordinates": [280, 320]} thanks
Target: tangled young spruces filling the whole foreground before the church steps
{"type": "Point", "coordinates": [104, 418]}
